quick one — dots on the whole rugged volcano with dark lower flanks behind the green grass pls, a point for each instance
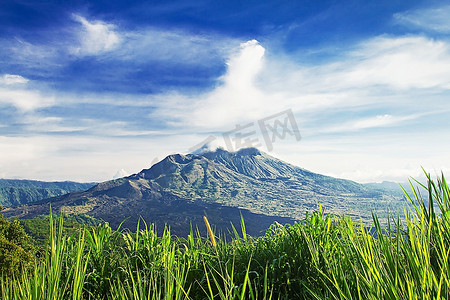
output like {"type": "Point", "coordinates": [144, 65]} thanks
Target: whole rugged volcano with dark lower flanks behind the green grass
{"type": "Point", "coordinates": [180, 189]}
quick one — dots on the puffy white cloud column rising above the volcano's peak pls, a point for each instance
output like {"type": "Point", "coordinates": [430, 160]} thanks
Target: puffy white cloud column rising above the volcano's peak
{"type": "Point", "coordinates": [236, 99]}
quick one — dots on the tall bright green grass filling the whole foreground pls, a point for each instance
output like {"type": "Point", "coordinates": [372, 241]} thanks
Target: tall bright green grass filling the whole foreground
{"type": "Point", "coordinates": [324, 257]}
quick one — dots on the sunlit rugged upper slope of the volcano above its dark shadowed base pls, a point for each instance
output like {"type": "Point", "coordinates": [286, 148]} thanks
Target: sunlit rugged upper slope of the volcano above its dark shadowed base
{"type": "Point", "coordinates": [256, 181]}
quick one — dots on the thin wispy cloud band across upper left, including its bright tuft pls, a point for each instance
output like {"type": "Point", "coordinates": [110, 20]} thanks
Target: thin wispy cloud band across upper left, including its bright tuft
{"type": "Point", "coordinates": [132, 50]}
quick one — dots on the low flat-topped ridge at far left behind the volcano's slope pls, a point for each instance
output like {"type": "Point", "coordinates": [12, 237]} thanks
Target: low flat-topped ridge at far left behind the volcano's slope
{"type": "Point", "coordinates": [16, 192]}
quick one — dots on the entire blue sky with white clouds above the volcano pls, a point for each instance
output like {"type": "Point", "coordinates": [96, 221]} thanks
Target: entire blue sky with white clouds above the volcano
{"type": "Point", "coordinates": [89, 89]}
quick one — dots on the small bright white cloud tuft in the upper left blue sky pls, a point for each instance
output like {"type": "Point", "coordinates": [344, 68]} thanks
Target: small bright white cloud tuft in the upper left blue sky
{"type": "Point", "coordinates": [95, 37]}
